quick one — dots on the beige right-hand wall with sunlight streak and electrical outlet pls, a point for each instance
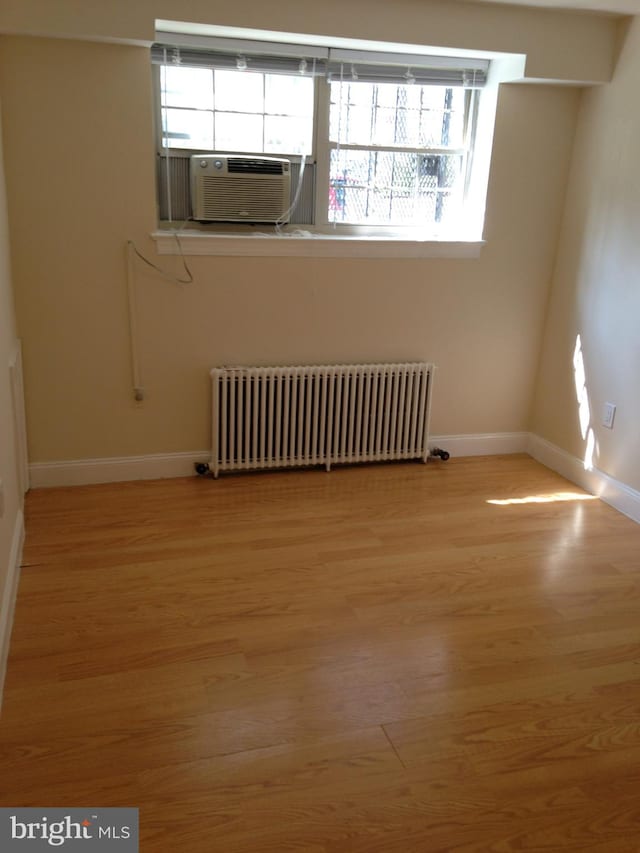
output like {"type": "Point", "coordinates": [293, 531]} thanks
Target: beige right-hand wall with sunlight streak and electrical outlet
{"type": "Point", "coordinates": [596, 286]}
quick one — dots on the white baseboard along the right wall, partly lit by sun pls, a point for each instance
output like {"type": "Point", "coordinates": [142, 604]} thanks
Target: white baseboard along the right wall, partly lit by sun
{"type": "Point", "coordinates": [618, 495]}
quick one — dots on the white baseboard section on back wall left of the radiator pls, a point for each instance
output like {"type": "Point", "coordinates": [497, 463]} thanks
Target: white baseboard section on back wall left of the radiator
{"type": "Point", "coordinates": [82, 472]}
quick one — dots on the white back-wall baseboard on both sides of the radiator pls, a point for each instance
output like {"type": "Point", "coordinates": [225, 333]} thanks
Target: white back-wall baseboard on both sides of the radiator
{"type": "Point", "coordinates": [81, 472]}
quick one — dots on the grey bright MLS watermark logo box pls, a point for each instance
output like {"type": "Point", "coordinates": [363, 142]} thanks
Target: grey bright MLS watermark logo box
{"type": "Point", "coordinates": [74, 830]}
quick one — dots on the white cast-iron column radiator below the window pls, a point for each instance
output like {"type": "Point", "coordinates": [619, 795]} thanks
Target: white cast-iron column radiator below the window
{"type": "Point", "coordinates": [276, 417]}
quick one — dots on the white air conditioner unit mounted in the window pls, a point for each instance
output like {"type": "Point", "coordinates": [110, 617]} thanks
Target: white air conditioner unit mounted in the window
{"type": "Point", "coordinates": [239, 188]}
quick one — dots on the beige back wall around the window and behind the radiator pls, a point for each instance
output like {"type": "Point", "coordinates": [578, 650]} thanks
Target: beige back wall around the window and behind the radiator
{"type": "Point", "coordinates": [79, 154]}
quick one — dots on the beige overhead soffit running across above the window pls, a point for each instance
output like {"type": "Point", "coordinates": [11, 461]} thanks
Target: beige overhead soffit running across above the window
{"type": "Point", "coordinates": [560, 45]}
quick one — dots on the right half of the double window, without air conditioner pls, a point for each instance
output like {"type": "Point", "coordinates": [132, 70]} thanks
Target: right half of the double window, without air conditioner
{"type": "Point", "coordinates": [398, 153]}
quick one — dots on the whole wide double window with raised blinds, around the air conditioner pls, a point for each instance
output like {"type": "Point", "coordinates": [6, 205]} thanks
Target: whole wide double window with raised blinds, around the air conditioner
{"type": "Point", "coordinates": [385, 142]}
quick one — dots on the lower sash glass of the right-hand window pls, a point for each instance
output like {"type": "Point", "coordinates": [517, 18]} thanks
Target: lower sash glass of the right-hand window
{"type": "Point", "coordinates": [393, 188]}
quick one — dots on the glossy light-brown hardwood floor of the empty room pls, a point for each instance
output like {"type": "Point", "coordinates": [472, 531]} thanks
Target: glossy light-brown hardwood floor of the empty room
{"type": "Point", "coordinates": [375, 660]}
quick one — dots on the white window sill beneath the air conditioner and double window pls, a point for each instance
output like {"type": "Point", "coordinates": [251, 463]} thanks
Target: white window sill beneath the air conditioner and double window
{"type": "Point", "coordinates": [309, 245]}
